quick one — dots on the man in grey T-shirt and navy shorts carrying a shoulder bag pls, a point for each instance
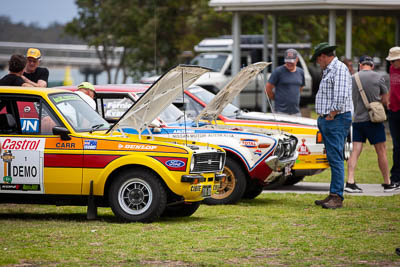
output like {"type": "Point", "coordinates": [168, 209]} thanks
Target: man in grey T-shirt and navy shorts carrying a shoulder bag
{"type": "Point", "coordinates": [375, 89]}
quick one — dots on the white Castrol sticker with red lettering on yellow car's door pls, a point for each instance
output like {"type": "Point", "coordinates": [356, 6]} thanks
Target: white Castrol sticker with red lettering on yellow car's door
{"type": "Point", "coordinates": [15, 143]}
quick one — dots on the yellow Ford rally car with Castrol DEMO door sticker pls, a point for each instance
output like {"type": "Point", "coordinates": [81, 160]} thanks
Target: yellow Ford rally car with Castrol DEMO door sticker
{"type": "Point", "coordinates": [55, 149]}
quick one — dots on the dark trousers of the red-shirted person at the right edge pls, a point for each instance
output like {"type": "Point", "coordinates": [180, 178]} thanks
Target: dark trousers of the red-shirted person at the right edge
{"type": "Point", "coordinates": [394, 126]}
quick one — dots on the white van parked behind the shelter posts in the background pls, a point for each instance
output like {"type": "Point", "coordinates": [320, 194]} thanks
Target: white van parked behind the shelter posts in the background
{"type": "Point", "coordinates": [215, 53]}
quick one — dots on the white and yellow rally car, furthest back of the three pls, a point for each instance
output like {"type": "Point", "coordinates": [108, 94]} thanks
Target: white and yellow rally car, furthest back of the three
{"type": "Point", "coordinates": [199, 103]}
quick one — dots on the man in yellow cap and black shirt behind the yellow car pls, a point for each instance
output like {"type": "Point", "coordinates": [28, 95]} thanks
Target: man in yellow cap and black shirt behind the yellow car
{"type": "Point", "coordinates": [34, 75]}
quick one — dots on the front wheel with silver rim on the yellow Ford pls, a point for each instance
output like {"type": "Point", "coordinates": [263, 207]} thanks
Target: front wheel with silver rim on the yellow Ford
{"type": "Point", "coordinates": [137, 196]}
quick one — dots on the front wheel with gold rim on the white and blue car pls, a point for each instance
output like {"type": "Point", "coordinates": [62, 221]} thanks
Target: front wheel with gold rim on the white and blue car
{"type": "Point", "coordinates": [232, 190]}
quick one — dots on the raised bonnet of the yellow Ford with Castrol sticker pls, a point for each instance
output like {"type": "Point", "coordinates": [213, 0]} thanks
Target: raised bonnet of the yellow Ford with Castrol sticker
{"type": "Point", "coordinates": [159, 96]}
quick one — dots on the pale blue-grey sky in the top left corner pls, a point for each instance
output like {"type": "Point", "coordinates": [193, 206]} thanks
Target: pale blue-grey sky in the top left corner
{"type": "Point", "coordinates": [40, 12]}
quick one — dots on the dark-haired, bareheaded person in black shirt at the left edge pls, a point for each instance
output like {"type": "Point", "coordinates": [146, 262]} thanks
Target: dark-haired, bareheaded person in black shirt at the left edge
{"type": "Point", "coordinates": [16, 66]}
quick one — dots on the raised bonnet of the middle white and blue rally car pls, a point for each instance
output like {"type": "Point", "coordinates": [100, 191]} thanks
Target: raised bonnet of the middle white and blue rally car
{"type": "Point", "coordinates": [230, 91]}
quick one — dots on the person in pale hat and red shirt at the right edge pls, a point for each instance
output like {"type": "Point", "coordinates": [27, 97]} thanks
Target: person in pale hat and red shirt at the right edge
{"type": "Point", "coordinates": [394, 111]}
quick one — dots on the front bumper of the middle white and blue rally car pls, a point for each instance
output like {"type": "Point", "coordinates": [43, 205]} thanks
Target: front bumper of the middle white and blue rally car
{"type": "Point", "coordinates": [279, 167]}
